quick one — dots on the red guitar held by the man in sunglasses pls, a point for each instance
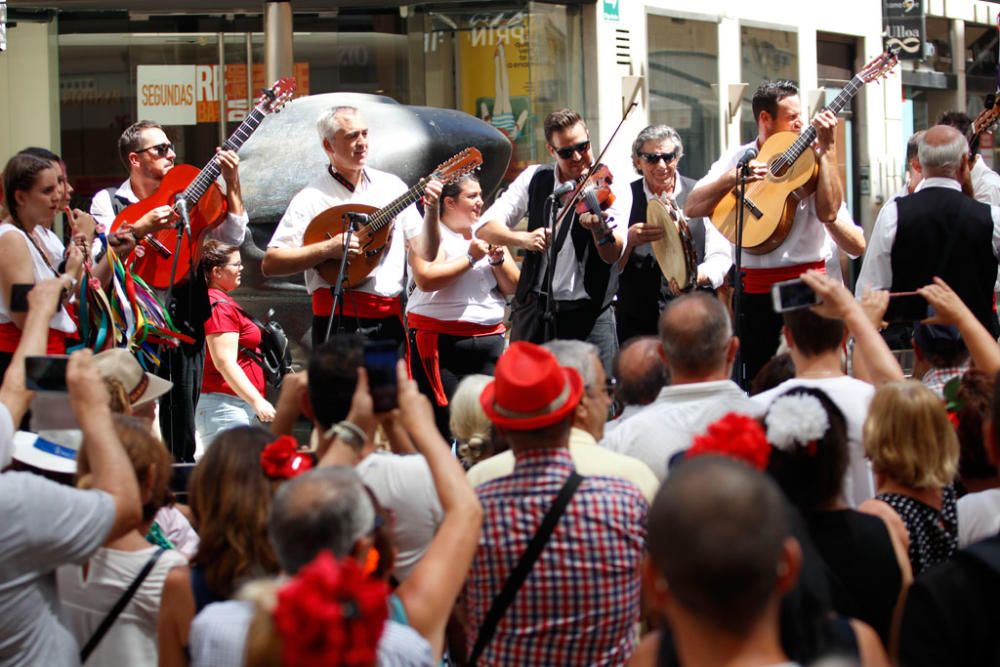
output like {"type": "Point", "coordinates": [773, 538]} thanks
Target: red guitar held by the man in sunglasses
{"type": "Point", "coordinates": [206, 203]}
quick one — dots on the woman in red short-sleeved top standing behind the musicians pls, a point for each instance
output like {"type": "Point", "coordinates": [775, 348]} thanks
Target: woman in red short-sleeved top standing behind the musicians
{"type": "Point", "coordinates": [232, 387]}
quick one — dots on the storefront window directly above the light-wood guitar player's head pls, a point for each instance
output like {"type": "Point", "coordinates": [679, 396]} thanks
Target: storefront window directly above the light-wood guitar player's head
{"type": "Point", "coordinates": [766, 54]}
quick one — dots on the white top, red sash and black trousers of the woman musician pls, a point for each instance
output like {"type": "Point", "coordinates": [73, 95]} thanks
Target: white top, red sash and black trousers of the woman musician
{"type": "Point", "coordinates": [442, 322]}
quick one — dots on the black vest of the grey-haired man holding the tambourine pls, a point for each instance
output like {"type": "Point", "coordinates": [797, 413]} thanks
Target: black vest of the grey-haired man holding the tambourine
{"type": "Point", "coordinates": [641, 283]}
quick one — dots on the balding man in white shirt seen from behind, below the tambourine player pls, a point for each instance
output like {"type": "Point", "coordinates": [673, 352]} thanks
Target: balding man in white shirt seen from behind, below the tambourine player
{"type": "Point", "coordinates": [698, 347]}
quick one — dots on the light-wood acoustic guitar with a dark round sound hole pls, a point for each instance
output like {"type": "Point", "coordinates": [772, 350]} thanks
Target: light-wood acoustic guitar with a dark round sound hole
{"type": "Point", "coordinates": [792, 170]}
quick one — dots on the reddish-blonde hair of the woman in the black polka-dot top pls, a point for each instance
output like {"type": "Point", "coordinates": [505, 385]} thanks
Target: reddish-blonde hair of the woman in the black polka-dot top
{"type": "Point", "coordinates": [908, 437]}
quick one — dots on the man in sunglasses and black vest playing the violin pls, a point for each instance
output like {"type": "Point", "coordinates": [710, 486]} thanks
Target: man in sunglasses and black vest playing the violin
{"type": "Point", "coordinates": [587, 245]}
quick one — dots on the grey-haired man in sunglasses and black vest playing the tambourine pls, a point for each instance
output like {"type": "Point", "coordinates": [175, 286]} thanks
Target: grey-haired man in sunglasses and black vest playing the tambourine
{"type": "Point", "coordinates": [642, 290]}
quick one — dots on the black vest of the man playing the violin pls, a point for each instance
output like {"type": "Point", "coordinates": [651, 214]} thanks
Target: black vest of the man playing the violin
{"type": "Point", "coordinates": [599, 280]}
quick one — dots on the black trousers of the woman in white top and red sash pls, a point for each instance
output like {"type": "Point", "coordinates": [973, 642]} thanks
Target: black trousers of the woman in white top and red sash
{"type": "Point", "coordinates": [458, 356]}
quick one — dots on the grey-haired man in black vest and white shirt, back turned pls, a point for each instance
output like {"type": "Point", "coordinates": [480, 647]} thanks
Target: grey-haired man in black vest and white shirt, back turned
{"type": "Point", "coordinates": [936, 231]}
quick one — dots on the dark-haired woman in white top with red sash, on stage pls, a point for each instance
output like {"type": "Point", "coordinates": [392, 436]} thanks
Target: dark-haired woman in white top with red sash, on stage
{"type": "Point", "coordinates": [455, 314]}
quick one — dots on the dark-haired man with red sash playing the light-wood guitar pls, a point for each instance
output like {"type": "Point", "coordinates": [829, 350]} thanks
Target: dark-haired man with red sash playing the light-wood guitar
{"type": "Point", "coordinates": [821, 220]}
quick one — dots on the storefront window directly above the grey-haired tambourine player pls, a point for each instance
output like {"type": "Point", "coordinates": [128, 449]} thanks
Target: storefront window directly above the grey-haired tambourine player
{"type": "Point", "coordinates": [683, 78]}
